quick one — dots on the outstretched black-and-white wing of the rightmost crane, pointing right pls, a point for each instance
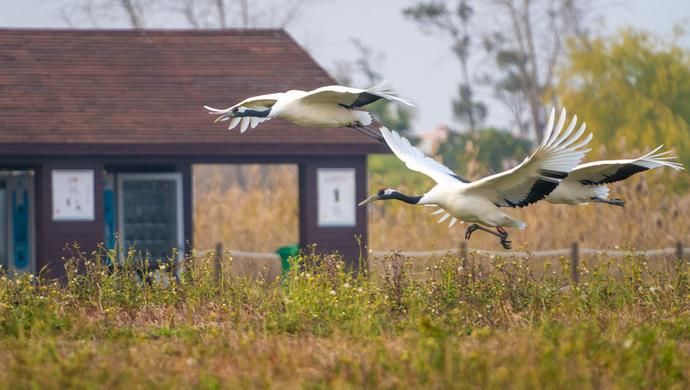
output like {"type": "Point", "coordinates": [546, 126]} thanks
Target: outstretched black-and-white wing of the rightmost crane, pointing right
{"type": "Point", "coordinates": [609, 171]}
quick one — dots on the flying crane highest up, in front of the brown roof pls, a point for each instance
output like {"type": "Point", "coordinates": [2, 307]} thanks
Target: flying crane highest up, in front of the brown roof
{"type": "Point", "coordinates": [330, 106]}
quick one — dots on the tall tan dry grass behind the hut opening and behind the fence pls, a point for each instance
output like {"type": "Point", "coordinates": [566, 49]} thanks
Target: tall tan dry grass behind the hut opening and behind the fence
{"type": "Point", "coordinates": [256, 208]}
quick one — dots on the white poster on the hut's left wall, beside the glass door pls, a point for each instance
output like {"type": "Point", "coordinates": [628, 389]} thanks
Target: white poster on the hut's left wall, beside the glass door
{"type": "Point", "coordinates": [73, 195]}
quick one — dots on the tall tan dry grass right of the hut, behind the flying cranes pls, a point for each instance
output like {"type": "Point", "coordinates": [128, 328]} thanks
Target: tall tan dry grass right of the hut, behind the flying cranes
{"type": "Point", "coordinates": [652, 218]}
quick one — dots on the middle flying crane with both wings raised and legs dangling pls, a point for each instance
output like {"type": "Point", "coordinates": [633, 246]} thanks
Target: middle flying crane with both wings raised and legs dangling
{"type": "Point", "coordinates": [480, 201]}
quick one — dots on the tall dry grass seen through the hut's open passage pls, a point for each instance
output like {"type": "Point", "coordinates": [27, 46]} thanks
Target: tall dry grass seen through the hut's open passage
{"type": "Point", "coordinates": [245, 207]}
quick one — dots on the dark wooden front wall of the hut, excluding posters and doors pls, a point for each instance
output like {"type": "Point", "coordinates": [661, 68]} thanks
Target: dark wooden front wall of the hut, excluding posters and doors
{"type": "Point", "coordinates": [53, 237]}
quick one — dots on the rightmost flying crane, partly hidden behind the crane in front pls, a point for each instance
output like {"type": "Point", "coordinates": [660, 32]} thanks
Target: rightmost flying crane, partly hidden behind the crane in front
{"type": "Point", "coordinates": [587, 182]}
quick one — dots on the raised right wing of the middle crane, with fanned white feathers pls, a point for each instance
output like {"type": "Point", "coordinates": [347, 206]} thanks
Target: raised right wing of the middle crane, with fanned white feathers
{"type": "Point", "coordinates": [559, 152]}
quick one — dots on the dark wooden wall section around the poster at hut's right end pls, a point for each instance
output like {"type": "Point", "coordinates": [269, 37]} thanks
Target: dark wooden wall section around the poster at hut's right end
{"type": "Point", "coordinates": [331, 239]}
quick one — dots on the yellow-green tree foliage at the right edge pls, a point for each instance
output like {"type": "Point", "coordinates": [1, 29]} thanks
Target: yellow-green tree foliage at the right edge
{"type": "Point", "coordinates": [633, 90]}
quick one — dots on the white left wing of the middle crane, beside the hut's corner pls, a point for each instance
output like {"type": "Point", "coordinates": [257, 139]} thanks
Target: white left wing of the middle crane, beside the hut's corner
{"type": "Point", "coordinates": [416, 160]}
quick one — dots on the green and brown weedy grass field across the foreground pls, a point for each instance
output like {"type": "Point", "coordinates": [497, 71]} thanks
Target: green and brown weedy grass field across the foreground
{"type": "Point", "coordinates": [492, 323]}
